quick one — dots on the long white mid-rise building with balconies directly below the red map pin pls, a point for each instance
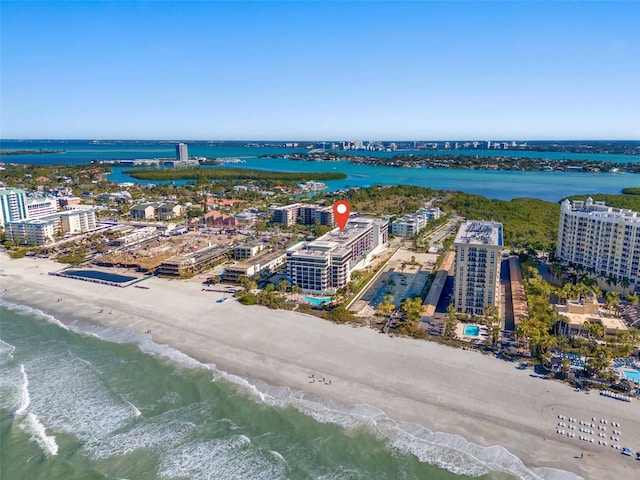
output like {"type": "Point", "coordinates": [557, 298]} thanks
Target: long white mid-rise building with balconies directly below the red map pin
{"type": "Point", "coordinates": [325, 264]}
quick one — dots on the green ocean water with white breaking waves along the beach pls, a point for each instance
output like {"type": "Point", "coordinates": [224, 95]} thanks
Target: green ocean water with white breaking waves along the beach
{"type": "Point", "coordinates": [104, 403]}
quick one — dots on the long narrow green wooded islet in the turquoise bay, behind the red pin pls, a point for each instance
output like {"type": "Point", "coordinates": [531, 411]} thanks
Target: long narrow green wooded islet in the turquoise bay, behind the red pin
{"type": "Point", "coordinates": [206, 174]}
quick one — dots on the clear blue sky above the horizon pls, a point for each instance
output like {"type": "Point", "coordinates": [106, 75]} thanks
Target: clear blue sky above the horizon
{"type": "Point", "coordinates": [320, 70]}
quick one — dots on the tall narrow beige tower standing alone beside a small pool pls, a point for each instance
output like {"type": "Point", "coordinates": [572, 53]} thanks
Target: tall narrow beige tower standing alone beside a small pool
{"type": "Point", "coordinates": [478, 245]}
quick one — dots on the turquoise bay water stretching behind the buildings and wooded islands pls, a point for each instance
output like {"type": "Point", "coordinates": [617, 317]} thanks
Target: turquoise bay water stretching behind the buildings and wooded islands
{"type": "Point", "coordinates": [504, 185]}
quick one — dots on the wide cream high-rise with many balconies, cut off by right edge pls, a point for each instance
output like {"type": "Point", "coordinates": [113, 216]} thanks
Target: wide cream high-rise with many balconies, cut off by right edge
{"type": "Point", "coordinates": [601, 239]}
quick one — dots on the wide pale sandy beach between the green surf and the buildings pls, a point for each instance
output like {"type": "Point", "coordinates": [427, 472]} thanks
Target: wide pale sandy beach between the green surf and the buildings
{"type": "Point", "coordinates": [486, 401]}
